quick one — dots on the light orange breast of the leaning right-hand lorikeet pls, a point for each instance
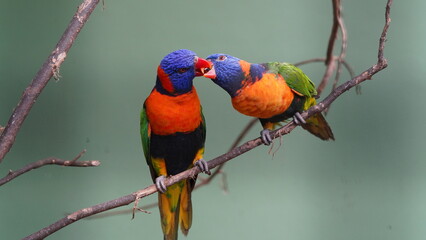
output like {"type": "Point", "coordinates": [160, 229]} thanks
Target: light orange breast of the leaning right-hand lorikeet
{"type": "Point", "coordinates": [264, 98]}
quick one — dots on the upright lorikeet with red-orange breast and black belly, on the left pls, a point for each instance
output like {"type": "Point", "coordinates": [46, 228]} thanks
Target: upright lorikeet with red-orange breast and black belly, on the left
{"type": "Point", "coordinates": [173, 133]}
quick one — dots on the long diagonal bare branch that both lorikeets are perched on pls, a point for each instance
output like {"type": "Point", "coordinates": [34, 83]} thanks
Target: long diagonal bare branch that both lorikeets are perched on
{"type": "Point", "coordinates": [125, 200]}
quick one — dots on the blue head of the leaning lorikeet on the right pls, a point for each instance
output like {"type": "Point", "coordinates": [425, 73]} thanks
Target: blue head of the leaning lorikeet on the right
{"type": "Point", "coordinates": [231, 73]}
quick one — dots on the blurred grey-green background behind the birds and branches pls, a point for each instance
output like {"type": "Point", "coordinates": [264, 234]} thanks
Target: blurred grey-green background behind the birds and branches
{"type": "Point", "coordinates": [368, 184]}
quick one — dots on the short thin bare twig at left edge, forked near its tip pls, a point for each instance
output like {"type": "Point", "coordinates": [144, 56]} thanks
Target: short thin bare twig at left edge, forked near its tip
{"type": "Point", "coordinates": [49, 161]}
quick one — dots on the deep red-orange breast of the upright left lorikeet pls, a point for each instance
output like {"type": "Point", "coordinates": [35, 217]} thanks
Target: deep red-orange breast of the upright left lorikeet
{"type": "Point", "coordinates": [171, 114]}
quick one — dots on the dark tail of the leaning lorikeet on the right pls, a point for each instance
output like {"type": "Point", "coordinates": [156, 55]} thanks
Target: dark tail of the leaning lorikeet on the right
{"type": "Point", "coordinates": [316, 124]}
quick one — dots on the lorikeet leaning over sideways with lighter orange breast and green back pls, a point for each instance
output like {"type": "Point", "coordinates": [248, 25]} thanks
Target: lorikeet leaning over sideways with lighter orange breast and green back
{"type": "Point", "coordinates": [272, 92]}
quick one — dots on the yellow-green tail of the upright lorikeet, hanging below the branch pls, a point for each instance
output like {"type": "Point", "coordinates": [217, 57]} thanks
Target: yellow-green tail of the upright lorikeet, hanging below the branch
{"type": "Point", "coordinates": [175, 207]}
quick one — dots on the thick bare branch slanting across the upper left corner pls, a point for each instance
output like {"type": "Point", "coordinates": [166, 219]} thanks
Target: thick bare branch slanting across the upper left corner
{"type": "Point", "coordinates": [50, 68]}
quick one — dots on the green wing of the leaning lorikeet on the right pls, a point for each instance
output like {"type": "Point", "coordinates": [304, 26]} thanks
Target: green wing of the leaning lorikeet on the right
{"type": "Point", "coordinates": [294, 77]}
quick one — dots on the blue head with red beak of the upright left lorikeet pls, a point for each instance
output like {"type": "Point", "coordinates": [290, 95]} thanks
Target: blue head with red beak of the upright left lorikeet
{"type": "Point", "coordinates": [177, 70]}
